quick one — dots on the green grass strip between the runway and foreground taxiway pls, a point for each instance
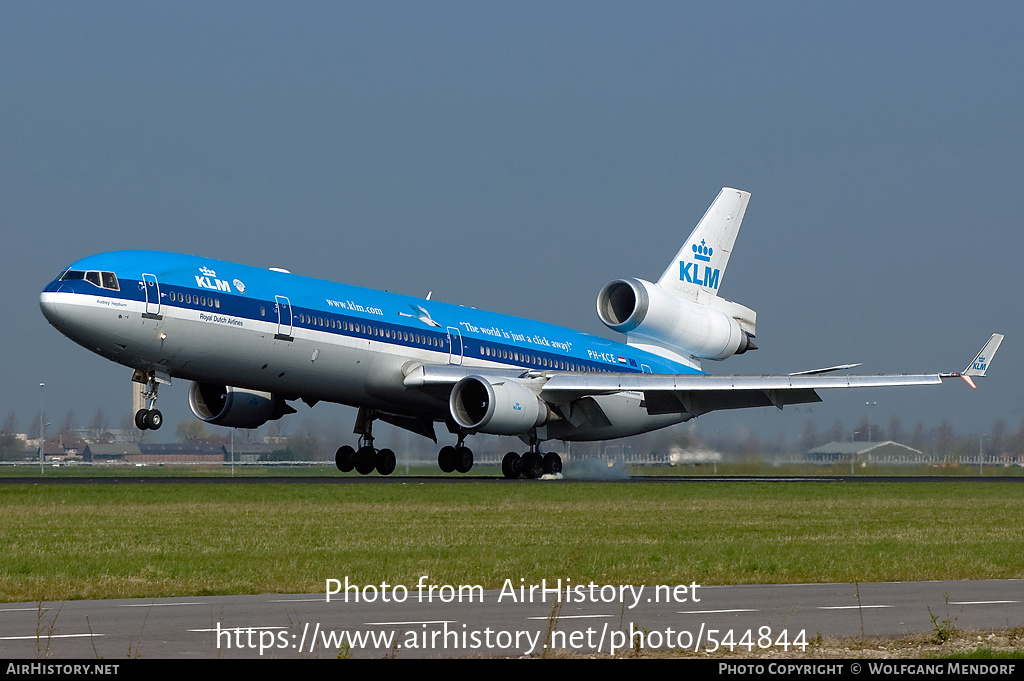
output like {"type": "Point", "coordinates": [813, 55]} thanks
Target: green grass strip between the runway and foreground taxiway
{"type": "Point", "coordinates": [96, 541]}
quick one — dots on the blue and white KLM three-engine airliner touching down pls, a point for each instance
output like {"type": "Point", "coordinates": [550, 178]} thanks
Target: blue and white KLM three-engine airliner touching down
{"type": "Point", "coordinates": [252, 340]}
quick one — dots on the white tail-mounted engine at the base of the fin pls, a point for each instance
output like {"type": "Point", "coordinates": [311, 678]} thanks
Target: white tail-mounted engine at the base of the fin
{"type": "Point", "coordinates": [648, 312]}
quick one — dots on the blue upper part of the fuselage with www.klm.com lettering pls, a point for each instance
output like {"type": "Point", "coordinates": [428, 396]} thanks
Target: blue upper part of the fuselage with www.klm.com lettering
{"type": "Point", "coordinates": [318, 306]}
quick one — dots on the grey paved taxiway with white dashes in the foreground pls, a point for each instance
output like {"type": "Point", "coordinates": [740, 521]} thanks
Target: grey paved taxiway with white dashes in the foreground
{"type": "Point", "coordinates": [404, 621]}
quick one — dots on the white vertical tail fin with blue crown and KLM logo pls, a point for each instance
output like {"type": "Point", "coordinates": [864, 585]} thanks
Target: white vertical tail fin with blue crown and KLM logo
{"type": "Point", "coordinates": [699, 268]}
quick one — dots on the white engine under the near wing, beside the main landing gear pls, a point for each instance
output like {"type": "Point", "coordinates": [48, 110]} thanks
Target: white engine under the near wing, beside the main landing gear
{"type": "Point", "coordinates": [496, 406]}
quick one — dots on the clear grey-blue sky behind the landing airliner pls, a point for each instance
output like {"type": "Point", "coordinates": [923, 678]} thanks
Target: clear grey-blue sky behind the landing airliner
{"type": "Point", "coordinates": [517, 157]}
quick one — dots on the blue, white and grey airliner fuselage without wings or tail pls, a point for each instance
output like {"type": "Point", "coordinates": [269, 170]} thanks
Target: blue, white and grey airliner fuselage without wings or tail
{"type": "Point", "coordinates": [209, 321]}
